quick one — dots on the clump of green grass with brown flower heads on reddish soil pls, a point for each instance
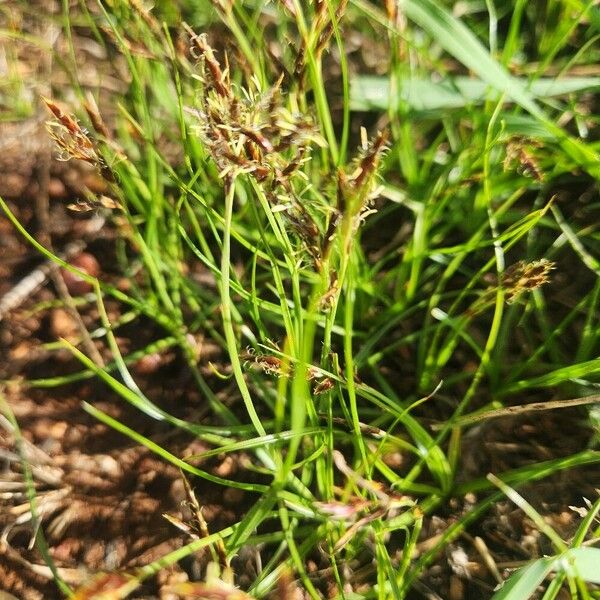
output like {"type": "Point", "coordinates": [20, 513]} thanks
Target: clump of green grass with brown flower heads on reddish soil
{"type": "Point", "coordinates": [411, 290]}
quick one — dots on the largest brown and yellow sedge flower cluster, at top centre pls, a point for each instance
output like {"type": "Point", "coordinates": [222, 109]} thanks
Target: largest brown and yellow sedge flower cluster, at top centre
{"type": "Point", "coordinates": [251, 132]}
